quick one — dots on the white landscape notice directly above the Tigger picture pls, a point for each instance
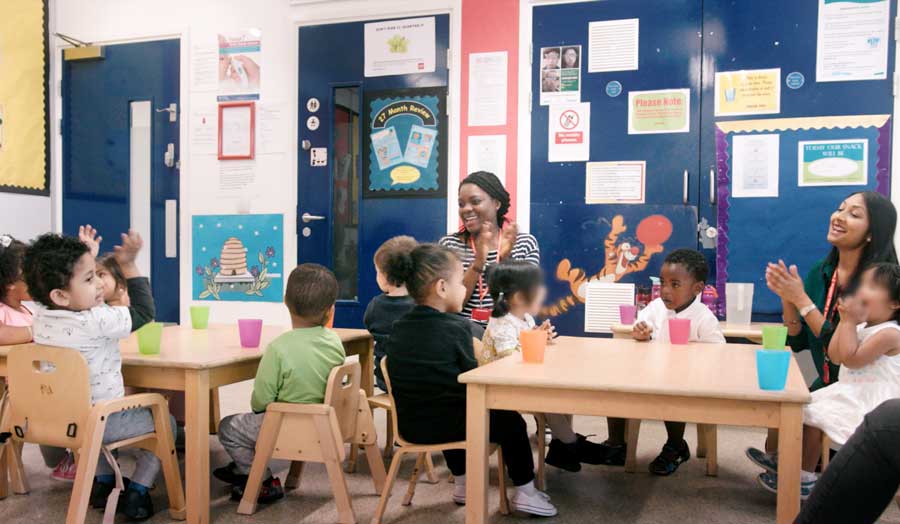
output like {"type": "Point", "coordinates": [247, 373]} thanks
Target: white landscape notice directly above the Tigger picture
{"type": "Point", "coordinates": [615, 182]}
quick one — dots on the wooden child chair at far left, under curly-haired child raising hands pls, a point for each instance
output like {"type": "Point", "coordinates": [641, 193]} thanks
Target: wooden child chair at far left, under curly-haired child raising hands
{"type": "Point", "coordinates": [50, 404]}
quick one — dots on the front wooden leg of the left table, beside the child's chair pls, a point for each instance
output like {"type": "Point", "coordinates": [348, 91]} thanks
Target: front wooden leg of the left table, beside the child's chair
{"type": "Point", "coordinates": [196, 463]}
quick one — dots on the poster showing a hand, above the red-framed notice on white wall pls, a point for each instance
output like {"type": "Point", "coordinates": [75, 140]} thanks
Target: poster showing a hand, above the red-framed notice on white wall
{"type": "Point", "coordinates": [239, 65]}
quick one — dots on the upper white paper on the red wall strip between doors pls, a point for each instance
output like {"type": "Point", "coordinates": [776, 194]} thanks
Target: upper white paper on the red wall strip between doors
{"type": "Point", "coordinates": [487, 89]}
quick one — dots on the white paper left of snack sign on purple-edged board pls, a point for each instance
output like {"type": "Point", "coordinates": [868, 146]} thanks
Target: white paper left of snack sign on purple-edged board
{"type": "Point", "coordinates": [754, 166]}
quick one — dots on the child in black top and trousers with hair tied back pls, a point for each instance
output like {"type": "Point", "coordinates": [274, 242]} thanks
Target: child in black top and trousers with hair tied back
{"type": "Point", "coordinates": [427, 350]}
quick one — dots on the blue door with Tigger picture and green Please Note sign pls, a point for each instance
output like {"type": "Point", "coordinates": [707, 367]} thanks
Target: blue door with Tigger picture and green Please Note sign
{"type": "Point", "coordinates": [615, 242]}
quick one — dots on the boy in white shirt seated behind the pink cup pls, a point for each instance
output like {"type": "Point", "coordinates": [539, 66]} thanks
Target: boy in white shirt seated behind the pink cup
{"type": "Point", "coordinates": [683, 277]}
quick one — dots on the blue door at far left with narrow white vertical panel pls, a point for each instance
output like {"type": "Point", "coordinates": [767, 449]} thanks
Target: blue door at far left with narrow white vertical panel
{"type": "Point", "coordinates": [116, 130]}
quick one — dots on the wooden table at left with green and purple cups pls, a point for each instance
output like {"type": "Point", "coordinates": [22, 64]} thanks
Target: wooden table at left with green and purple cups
{"type": "Point", "coordinates": [198, 362]}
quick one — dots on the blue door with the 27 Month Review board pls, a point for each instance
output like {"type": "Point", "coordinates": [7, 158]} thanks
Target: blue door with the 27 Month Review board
{"type": "Point", "coordinates": [339, 224]}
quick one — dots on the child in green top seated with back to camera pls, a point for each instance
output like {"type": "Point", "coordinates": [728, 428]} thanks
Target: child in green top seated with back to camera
{"type": "Point", "coordinates": [294, 368]}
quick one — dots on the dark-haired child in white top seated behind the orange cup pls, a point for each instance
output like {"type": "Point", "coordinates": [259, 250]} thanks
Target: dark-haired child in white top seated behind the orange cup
{"type": "Point", "coordinates": [518, 292]}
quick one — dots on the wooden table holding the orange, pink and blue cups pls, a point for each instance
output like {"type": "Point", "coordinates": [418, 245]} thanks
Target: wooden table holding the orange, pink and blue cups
{"type": "Point", "coordinates": [704, 383]}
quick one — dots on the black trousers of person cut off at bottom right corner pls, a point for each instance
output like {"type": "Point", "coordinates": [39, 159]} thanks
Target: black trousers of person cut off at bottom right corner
{"type": "Point", "coordinates": [863, 477]}
